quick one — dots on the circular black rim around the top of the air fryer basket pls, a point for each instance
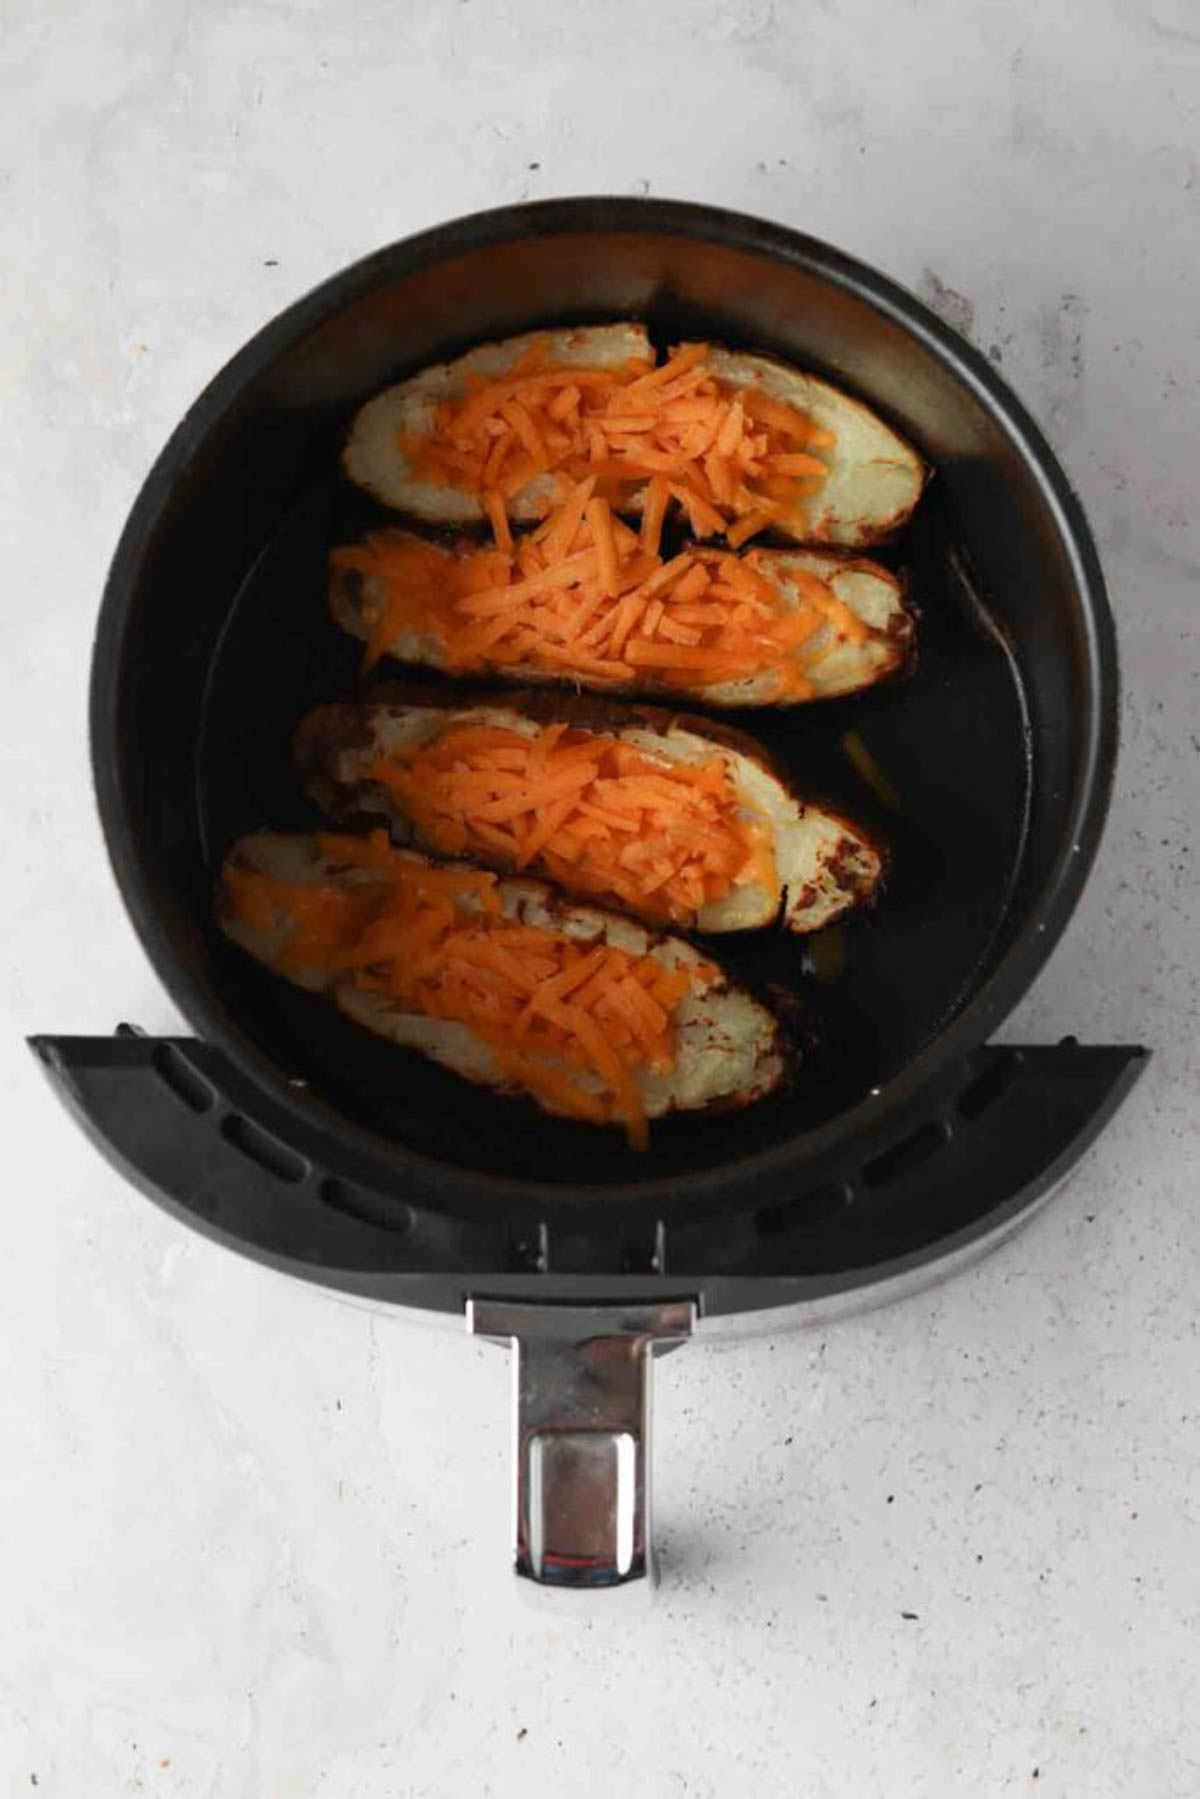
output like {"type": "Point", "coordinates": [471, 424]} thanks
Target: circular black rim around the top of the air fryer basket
{"type": "Point", "coordinates": [1080, 837]}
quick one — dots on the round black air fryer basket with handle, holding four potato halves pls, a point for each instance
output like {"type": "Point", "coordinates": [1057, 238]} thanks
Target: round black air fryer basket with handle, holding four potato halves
{"type": "Point", "coordinates": [906, 1147]}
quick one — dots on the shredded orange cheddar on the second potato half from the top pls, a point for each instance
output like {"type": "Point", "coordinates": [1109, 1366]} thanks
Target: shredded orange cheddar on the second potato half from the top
{"type": "Point", "coordinates": [587, 598]}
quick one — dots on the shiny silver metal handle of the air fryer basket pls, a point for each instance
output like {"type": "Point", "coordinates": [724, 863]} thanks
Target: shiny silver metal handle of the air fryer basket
{"type": "Point", "coordinates": [582, 1386]}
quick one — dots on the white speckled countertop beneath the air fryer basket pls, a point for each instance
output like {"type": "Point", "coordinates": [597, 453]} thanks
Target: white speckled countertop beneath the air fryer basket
{"type": "Point", "coordinates": [253, 1541]}
